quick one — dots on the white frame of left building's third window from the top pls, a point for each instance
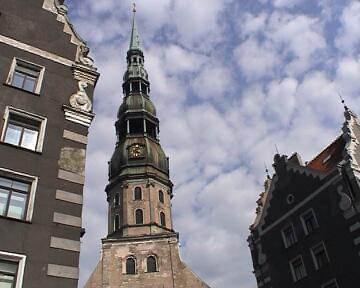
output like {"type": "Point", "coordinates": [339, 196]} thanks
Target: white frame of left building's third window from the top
{"type": "Point", "coordinates": [34, 182]}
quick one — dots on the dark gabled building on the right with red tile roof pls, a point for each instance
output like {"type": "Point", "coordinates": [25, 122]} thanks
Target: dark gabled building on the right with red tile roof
{"type": "Point", "coordinates": [307, 229]}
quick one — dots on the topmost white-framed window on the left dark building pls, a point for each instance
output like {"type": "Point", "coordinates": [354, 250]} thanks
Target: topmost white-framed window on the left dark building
{"type": "Point", "coordinates": [26, 76]}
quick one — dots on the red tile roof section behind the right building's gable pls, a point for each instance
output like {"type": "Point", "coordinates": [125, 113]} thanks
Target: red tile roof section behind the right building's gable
{"type": "Point", "coordinates": [329, 157]}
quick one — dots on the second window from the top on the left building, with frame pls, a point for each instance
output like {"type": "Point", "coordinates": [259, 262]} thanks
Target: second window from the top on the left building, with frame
{"type": "Point", "coordinates": [23, 129]}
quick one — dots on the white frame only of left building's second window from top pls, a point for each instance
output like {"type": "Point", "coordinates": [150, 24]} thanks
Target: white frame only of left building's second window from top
{"type": "Point", "coordinates": [42, 120]}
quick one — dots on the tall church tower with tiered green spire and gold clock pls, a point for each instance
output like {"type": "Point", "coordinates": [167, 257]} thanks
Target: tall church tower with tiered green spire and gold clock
{"type": "Point", "coordinates": [141, 248]}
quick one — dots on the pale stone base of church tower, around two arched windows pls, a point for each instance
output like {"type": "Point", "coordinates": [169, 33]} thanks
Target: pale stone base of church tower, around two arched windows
{"type": "Point", "coordinates": [171, 271]}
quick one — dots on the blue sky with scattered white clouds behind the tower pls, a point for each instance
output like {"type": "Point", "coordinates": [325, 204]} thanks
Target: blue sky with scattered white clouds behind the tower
{"type": "Point", "coordinates": [230, 79]}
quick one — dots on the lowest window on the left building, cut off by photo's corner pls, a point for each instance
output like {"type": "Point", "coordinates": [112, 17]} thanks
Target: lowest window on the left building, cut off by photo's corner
{"type": "Point", "coordinates": [11, 270]}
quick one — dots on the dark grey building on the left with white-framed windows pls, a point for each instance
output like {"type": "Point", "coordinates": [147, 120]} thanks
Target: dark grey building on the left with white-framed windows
{"type": "Point", "coordinates": [46, 110]}
